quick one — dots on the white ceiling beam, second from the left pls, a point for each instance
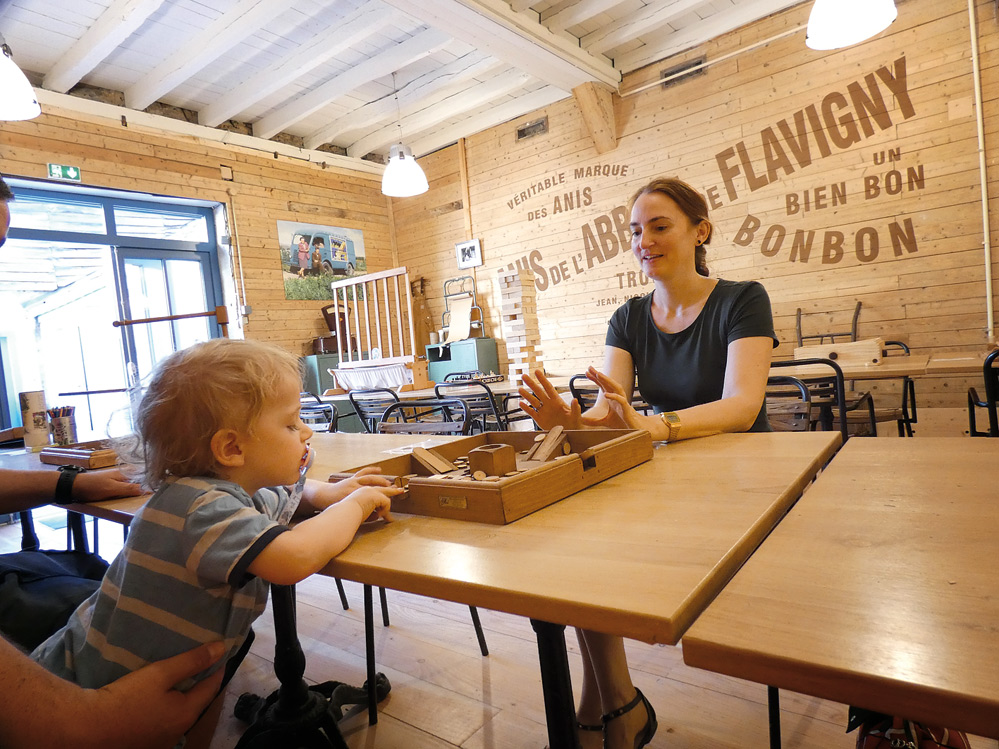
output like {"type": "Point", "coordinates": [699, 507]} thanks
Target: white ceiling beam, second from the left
{"type": "Point", "coordinates": [228, 30]}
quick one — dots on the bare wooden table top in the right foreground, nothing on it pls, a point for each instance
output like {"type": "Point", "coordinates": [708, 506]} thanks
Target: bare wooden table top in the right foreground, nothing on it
{"type": "Point", "coordinates": [879, 589]}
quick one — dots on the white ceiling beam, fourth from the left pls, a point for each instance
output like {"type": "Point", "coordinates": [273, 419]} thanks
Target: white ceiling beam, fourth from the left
{"type": "Point", "coordinates": [414, 48]}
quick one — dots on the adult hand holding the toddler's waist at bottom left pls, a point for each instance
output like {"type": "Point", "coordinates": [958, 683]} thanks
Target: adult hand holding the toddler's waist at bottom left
{"type": "Point", "coordinates": [143, 708]}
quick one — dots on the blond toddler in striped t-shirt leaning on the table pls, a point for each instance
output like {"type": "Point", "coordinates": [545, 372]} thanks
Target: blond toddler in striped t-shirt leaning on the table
{"type": "Point", "coordinates": [221, 443]}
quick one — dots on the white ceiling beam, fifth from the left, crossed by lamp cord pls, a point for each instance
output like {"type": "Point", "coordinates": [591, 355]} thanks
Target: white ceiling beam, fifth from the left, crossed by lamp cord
{"type": "Point", "coordinates": [454, 73]}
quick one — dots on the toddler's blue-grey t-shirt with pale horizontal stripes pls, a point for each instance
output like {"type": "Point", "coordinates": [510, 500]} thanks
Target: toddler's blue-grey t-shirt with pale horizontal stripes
{"type": "Point", "coordinates": [181, 580]}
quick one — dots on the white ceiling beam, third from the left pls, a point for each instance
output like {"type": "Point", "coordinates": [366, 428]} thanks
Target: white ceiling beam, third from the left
{"type": "Point", "coordinates": [358, 26]}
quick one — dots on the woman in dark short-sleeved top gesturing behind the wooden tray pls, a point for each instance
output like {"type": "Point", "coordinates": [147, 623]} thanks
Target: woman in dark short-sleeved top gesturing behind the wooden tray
{"type": "Point", "coordinates": [701, 348]}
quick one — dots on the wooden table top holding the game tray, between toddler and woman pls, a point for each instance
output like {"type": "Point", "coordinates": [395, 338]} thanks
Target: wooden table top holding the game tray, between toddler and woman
{"type": "Point", "coordinates": [639, 555]}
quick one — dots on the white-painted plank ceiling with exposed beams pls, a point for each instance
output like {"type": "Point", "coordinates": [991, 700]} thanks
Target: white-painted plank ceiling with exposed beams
{"type": "Point", "coordinates": [323, 70]}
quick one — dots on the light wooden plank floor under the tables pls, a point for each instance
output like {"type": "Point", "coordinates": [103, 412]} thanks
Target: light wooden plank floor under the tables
{"type": "Point", "coordinates": [445, 694]}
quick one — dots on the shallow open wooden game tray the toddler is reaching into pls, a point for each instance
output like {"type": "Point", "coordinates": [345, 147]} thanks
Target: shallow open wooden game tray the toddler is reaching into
{"type": "Point", "coordinates": [594, 455]}
